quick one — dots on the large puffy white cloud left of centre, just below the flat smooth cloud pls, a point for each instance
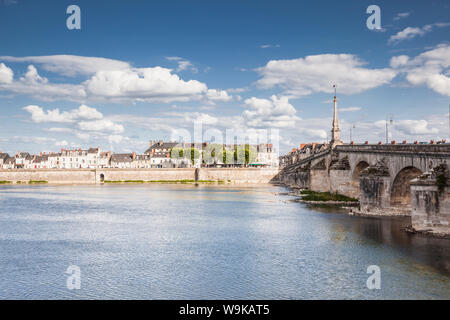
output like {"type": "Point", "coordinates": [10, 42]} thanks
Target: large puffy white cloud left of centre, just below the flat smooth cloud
{"type": "Point", "coordinates": [144, 84]}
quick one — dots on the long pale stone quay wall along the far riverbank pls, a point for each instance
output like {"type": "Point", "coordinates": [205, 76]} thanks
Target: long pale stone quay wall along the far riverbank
{"type": "Point", "coordinates": [92, 176]}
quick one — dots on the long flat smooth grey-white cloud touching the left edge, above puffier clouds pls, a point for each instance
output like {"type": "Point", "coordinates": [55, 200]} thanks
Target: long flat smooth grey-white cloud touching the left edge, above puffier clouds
{"type": "Point", "coordinates": [70, 65]}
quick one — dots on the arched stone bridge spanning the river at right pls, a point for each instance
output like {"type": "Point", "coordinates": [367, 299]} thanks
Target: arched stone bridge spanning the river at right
{"type": "Point", "coordinates": [379, 175]}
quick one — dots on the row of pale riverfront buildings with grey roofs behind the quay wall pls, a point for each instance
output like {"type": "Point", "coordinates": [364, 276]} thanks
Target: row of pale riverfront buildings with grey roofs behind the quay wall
{"type": "Point", "coordinates": [159, 155]}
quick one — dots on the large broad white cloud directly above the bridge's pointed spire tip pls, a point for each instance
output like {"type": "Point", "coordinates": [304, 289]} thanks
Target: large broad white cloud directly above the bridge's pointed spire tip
{"type": "Point", "coordinates": [318, 73]}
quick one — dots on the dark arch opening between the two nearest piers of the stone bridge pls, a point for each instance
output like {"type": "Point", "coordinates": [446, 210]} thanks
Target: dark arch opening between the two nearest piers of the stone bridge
{"type": "Point", "coordinates": [401, 189]}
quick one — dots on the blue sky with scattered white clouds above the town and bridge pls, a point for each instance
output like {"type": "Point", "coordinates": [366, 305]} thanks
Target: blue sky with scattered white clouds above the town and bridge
{"type": "Point", "coordinates": [155, 70]}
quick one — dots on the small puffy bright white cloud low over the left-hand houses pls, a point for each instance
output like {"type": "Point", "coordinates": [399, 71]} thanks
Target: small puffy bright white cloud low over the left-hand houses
{"type": "Point", "coordinates": [81, 113]}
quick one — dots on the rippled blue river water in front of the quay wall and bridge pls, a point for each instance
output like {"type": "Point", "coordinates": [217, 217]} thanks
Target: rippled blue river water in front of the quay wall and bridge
{"type": "Point", "coordinates": [162, 241]}
